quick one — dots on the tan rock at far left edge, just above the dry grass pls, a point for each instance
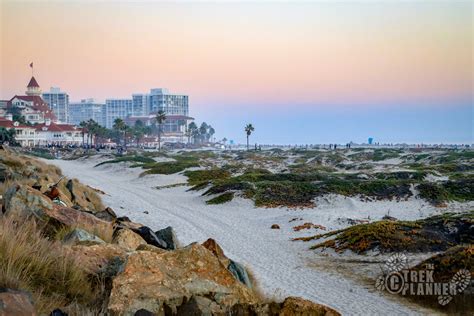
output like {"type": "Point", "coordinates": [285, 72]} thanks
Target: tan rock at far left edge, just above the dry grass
{"type": "Point", "coordinates": [24, 201]}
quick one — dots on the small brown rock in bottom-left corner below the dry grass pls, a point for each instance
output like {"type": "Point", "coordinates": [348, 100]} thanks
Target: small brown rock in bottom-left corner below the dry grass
{"type": "Point", "coordinates": [14, 302]}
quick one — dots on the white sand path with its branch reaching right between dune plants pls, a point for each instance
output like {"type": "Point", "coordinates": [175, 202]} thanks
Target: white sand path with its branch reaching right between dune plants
{"type": "Point", "coordinates": [280, 265]}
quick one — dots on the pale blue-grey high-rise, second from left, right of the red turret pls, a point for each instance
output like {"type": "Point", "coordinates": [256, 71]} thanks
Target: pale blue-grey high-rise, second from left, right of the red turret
{"type": "Point", "coordinates": [85, 110]}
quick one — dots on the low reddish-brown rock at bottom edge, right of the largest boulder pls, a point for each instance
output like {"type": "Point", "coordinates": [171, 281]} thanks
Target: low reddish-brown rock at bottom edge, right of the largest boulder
{"type": "Point", "coordinates": [296, 306]}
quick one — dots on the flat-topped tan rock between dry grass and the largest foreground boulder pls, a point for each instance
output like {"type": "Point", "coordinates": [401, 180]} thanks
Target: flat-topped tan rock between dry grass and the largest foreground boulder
{"type": "Point", "coordinates": [96, 258]}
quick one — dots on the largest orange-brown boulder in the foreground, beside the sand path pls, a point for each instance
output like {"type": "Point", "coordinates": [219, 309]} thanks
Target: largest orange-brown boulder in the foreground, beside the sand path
{"type": "Point", "coordinates": [158, 282]}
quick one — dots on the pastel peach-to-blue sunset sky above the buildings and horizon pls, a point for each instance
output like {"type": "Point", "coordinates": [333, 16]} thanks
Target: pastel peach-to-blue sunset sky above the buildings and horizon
{"type": "Point", "coordinates": [304, 72]}
